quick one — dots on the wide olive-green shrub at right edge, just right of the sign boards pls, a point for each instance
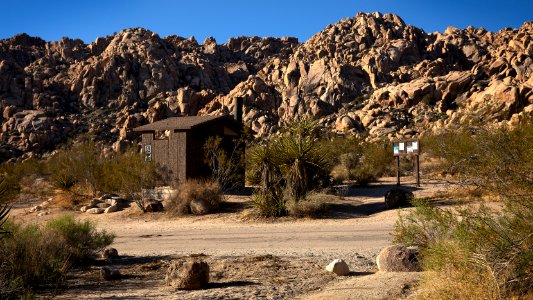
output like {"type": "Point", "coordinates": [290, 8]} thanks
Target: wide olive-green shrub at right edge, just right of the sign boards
{"type": "Point", "coordinates": [497, 160]}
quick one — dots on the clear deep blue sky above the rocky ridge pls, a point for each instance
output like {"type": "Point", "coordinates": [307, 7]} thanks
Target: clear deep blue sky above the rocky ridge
{"type": "Point", "coordinates": [222, 19]}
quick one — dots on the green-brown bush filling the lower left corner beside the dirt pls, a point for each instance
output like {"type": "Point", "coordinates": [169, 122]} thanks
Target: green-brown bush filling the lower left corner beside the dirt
{"type": "Point", "coordinates": [34, 257]}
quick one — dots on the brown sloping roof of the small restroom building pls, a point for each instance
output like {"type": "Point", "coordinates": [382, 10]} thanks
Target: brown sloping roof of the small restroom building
{"type": "Point", "coordinates": [182, 123]}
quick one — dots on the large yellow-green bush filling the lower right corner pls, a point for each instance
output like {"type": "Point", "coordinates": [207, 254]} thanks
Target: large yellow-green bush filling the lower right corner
{"type": "Point", "coordinates": [483, 251]}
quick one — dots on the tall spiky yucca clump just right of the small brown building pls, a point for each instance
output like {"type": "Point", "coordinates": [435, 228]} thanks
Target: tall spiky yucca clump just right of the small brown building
{"type": "Point", "coordinates": [289, 167]}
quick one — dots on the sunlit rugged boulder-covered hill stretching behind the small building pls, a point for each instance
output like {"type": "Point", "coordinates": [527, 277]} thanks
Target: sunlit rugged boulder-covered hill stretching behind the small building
{"type": "Point", "coordinates": [371, 75]}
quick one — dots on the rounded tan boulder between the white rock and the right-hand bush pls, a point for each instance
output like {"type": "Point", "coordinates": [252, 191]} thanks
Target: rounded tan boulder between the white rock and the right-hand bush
{"type": "Point", "coordinates": [399, 258]}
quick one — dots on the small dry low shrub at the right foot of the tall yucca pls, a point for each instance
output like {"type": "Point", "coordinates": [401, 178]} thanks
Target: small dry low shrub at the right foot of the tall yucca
{"type": "Point", "coordinates": [314, 205]}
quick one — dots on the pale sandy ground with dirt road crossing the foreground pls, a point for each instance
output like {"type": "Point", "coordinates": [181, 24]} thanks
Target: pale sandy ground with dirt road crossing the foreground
{"type": "Point", "coordinates": [252, 258]}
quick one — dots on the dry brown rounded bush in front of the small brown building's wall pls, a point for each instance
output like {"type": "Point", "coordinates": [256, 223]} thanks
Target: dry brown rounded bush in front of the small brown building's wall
{"type": "Point", "coordinates": [195, 197]}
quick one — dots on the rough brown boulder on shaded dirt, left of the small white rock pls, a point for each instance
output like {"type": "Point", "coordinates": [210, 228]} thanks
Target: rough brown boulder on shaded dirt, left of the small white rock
{"type": "Point", "coordinates": [190, 275]}
